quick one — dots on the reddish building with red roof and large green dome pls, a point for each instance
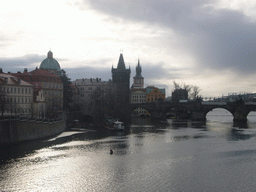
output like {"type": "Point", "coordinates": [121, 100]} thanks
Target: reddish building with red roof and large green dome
{"type": "Point", "coordinates": [48, 87]}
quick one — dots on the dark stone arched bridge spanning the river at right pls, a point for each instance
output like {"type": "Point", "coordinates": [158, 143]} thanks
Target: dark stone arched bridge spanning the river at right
{"type": "Point", "coordinates": [198, 110]}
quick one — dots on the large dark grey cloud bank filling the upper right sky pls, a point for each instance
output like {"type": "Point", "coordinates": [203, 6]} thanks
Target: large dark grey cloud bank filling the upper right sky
{"type": "Point", "coordinates": [216, 38]}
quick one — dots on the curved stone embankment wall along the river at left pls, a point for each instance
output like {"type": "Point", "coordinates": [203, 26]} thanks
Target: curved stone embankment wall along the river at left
{"type": "Point", "coordinates": [15, 131]}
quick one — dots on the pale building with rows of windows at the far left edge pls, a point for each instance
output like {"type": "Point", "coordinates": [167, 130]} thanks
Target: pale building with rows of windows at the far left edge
{"type": "Point", "coordinates": [16, 96]}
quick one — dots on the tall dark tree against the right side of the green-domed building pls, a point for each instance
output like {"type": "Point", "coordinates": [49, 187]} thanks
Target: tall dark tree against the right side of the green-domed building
{"type": "Point", "coordinates": [67, 89]}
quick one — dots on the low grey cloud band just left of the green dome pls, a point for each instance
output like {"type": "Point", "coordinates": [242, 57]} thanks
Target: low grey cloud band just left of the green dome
{"type": "Point", "coordinates": [19, 63]}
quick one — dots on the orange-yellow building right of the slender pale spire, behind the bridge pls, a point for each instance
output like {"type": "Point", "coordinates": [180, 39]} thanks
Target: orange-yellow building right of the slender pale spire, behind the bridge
{"type": "Point", "coordinates": [154, 94]}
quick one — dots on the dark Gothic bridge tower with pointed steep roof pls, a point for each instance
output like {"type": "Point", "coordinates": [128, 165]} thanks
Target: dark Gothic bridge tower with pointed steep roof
{"type": "Point", "coordinates": [121, 78]}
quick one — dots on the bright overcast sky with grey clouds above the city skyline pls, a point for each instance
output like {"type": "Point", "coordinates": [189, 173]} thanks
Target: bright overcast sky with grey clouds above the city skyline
{"type": "Point", "coordinates": [206, 43]}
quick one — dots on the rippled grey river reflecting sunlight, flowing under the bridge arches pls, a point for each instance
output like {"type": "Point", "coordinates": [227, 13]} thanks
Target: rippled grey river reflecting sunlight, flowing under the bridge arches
{"type": "Point", "coordinates": [174, 156]}
